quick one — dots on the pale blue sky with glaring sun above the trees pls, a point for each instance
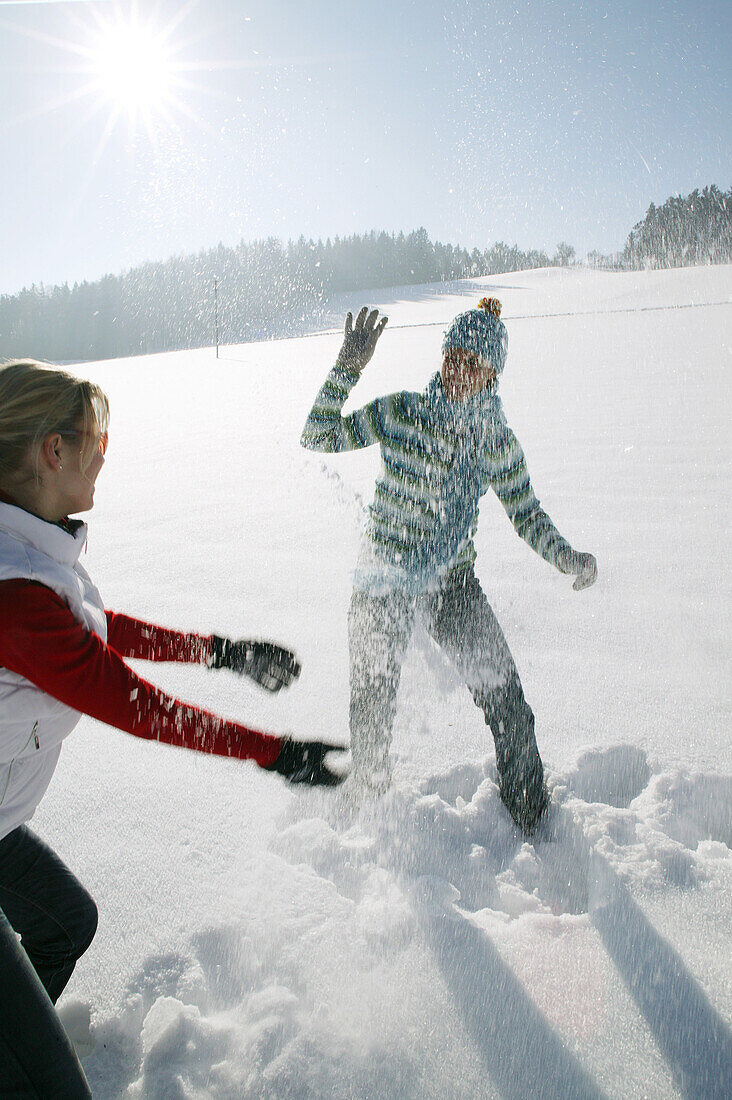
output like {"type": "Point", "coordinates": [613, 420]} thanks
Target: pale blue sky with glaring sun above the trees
{"type": "Point", "coordinates": [136, 133]}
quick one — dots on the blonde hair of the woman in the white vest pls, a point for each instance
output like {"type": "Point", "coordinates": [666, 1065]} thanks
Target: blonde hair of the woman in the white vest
{"type": "Point", "coordinates": [37, 400]}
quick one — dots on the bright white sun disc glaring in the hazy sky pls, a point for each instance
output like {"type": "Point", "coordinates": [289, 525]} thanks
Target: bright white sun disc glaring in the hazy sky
{"type": "Point", "coordinates": [132, 65]}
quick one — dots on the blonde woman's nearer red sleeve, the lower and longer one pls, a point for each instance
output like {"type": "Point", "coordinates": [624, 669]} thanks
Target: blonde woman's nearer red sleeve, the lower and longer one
{"type": "Point", "coordinates": [41, 641]}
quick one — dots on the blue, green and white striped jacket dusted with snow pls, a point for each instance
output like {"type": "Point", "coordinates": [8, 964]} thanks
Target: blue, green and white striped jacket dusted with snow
{"type": "Point", "coordinates": [439, 458]}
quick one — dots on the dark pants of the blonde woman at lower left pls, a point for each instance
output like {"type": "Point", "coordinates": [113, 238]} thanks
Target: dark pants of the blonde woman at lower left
{"type": "Point", "coordinates": [57, 919]}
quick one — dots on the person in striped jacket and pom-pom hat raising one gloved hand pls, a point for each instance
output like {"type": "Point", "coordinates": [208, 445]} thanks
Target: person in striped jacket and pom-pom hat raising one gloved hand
{"type": "Point", "coordinates": [441, 452]}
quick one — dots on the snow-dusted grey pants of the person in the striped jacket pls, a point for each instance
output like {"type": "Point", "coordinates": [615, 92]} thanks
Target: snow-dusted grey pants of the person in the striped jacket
{"type": "Point", "coordinates": [462, 622]}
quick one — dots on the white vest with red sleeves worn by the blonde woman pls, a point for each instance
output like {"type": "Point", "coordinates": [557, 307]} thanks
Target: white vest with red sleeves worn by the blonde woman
{"type": "Point", "coordinates": [62, 655]}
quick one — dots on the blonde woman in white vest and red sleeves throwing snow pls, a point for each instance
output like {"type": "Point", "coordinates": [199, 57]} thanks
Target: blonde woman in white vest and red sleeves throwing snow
{"type": "Point", "coordinates": [63, 654]}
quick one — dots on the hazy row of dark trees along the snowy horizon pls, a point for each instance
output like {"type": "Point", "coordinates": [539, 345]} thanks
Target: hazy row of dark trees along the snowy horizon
{"type": "Point", "coordinates": [265, 289]}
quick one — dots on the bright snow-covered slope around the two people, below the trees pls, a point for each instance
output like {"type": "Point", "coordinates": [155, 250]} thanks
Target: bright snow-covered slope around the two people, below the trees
{"type": "Point", "coordinates": [258, 943]}
